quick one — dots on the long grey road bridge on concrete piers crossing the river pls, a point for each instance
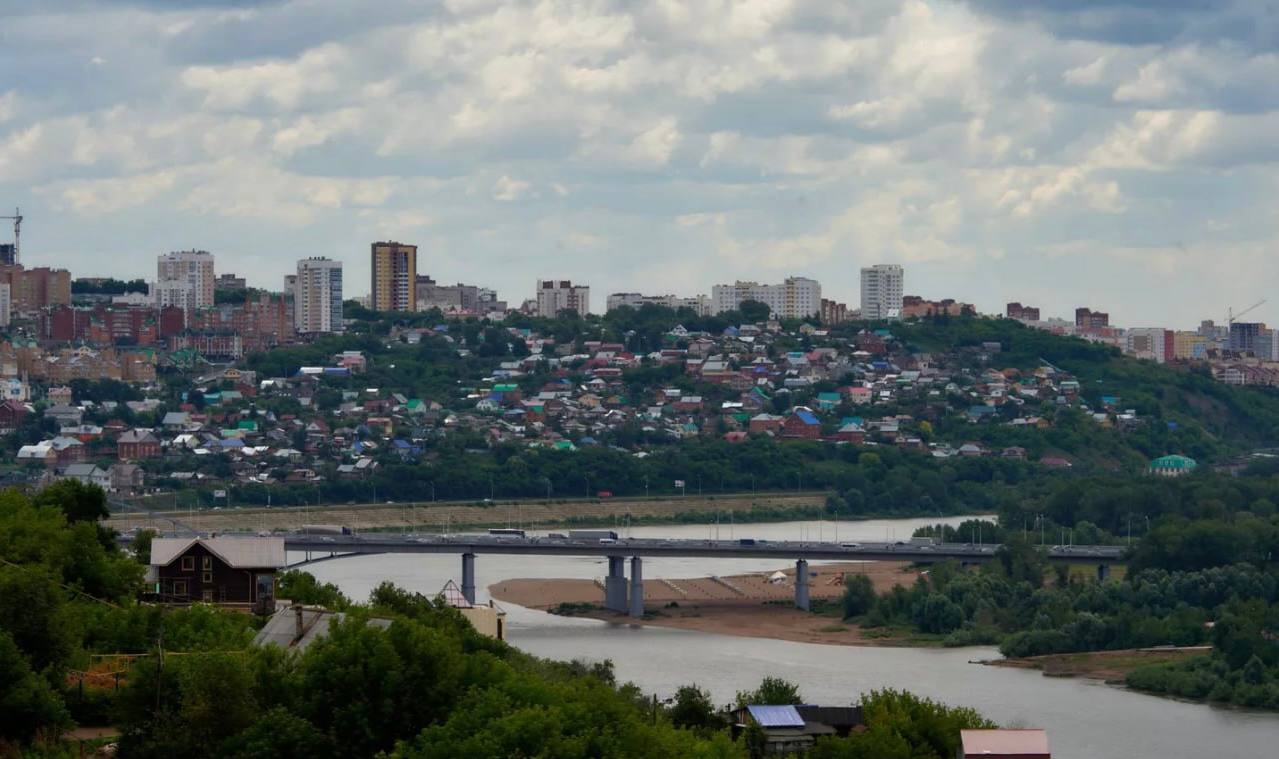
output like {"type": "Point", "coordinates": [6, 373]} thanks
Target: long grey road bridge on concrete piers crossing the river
{"type": "Point", "coordinates": [616, 592]}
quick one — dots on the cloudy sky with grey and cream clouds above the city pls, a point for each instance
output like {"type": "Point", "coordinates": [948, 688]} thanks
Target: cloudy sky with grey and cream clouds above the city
{"type": "Point", "coordinates": [1122, 157]}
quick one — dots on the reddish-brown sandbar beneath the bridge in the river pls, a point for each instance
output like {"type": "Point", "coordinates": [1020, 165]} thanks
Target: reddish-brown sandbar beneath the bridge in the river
{"type": "Point", "coordinates": [741, 605]}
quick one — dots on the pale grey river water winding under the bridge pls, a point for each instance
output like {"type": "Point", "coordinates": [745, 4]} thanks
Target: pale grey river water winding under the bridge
{"type": "Point", "coordinates": [1087, 720]}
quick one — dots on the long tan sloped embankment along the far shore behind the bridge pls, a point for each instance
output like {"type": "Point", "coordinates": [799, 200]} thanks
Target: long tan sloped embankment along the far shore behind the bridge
{"type": "Point", "coordinates": [428, 516]}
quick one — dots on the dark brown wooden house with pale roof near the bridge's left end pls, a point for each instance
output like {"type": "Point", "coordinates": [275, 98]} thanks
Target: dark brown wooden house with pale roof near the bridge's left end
{"type": "Point", "coordinates": [217, 570]}
